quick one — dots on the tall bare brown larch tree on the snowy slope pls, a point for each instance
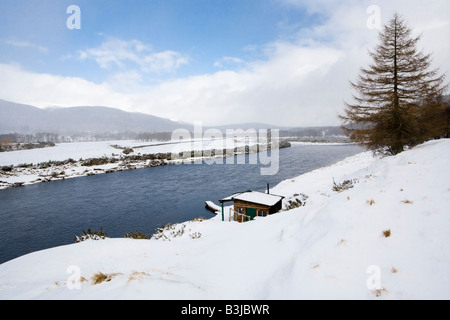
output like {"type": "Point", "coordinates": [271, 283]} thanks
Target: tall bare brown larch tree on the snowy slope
{"type": "Point", "coordinates": [398, 96]}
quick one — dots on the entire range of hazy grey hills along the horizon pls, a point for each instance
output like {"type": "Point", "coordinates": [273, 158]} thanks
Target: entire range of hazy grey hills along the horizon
{"type": "Point", "coordinates": [26, 119]}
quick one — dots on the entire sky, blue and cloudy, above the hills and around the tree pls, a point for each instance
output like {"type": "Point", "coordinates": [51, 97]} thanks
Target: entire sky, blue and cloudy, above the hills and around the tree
{"type": "Point", "coordinates": [282, 62]}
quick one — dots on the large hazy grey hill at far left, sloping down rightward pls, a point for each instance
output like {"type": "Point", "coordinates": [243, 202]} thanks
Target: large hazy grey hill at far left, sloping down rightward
{"type": "Point", "coordinates": [22, 118]}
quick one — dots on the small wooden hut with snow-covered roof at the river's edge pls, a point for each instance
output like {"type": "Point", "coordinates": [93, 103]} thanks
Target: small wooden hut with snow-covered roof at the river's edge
{"type": "Point", "coordinates": [250, 204]}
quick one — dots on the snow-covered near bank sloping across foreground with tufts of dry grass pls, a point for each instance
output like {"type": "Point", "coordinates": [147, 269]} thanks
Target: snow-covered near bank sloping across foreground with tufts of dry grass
{"type": "Point", "coordinates": [386, 237]}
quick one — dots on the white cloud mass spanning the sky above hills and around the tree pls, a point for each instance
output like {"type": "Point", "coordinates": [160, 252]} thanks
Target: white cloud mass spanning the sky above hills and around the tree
{"type": "Point", "coordinates": [302, 81]}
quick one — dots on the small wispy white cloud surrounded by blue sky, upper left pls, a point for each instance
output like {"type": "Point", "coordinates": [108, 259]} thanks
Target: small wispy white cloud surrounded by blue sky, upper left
{"type": "Point", "coordinates": [122, 54]}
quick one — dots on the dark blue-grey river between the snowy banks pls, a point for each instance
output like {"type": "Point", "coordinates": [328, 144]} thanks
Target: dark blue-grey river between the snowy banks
{"type": "Point", "coordinates": [51, 214]}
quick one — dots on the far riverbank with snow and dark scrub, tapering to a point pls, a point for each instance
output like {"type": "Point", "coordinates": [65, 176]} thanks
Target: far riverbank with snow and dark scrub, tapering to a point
{"type": "Point", "coordinates": [115, 156]}
